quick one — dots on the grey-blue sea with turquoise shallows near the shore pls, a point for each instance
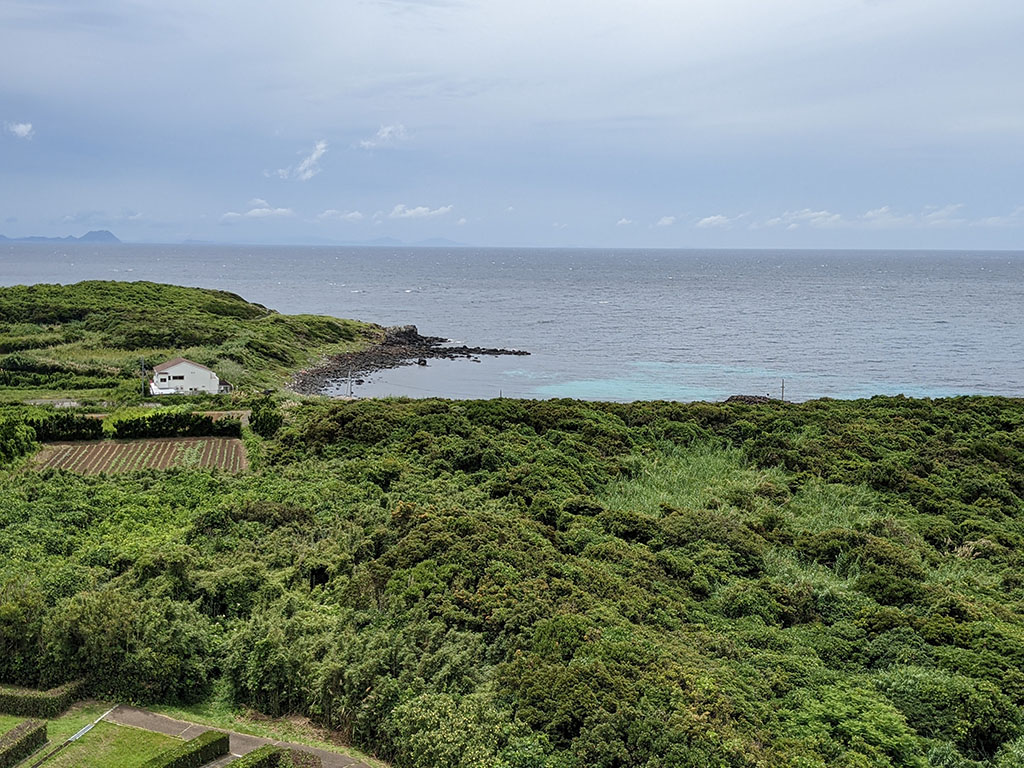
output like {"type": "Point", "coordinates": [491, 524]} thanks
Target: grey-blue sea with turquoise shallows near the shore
{"type": "Point", "coordinates": [626, 325]}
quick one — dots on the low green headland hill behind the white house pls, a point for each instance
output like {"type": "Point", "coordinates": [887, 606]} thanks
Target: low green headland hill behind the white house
{"type": "Point", "coordinates": [86, 342]}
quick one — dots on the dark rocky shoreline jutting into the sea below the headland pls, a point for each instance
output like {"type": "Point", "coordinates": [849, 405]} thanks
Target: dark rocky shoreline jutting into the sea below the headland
{"type": "Point", "coordinates": [403, 346]}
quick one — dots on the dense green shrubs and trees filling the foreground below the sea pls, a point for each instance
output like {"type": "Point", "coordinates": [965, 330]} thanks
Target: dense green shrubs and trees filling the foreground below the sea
{"type": "Point", "coordinates": [560, 584]}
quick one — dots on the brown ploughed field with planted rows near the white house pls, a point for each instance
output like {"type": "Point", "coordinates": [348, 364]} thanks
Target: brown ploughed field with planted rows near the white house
{"type": "Point", "coordinates": [127, 456]}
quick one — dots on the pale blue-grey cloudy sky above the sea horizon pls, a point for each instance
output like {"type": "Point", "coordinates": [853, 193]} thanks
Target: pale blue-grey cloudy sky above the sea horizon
{"type": "Point", "coordinates": [589, 123]}
